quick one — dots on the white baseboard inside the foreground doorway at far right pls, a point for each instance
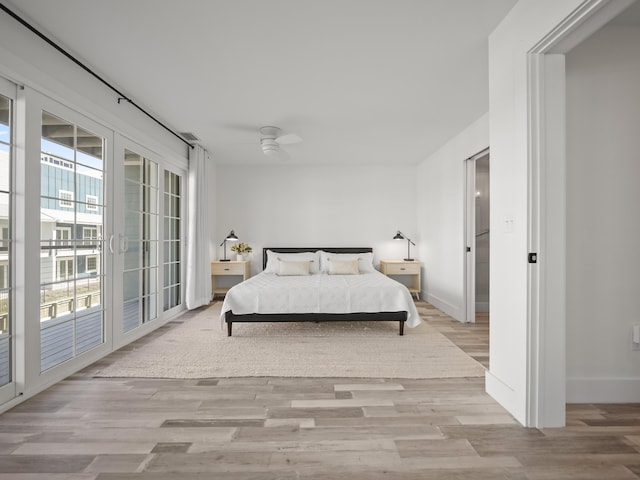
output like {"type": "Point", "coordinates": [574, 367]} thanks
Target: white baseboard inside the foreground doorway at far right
{"type": "Point", "coordinates": [603, 390]}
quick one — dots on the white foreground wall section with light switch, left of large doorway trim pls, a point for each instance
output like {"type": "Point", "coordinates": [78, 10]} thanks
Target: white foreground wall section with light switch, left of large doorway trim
{"type": "Point", "coordinates": [524, 27]}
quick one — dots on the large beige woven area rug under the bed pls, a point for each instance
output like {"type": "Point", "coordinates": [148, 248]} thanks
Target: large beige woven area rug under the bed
{"type": "Point", "coordinates": [197, 346]}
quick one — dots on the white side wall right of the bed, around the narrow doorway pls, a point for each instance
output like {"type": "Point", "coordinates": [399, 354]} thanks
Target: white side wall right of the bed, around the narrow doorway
{"type": "Point", "coordinates": [440, 218]}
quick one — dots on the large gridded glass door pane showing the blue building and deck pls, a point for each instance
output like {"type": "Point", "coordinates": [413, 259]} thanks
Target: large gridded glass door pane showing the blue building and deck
{"type": "Point", "coordinates": [71, 245]}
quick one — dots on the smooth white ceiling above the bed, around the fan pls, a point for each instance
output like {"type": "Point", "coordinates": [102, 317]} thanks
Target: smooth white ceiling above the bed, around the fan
{"type": "Point", "coordinates": [361, 81]}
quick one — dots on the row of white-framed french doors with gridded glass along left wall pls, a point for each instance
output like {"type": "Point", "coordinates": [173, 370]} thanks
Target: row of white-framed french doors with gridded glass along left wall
{"type": "Point", "coordinates": [90, 240]}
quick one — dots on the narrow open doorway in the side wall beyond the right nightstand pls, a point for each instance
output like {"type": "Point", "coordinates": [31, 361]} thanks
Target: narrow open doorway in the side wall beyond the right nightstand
{"type": "Point", "coordinates": [477, 236]}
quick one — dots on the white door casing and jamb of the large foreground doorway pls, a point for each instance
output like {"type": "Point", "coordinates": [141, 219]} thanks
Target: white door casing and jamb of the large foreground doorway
{"type": "Point", "coordinates": [546, 299]}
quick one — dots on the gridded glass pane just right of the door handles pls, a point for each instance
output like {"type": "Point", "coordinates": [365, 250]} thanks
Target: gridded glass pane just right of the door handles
{"type": "Point", "coordinates": [139, 243]}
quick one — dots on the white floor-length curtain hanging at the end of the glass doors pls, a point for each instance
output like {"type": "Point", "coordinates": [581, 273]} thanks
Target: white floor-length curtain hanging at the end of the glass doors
{"type": "Point", "coordinates": [198, 282]}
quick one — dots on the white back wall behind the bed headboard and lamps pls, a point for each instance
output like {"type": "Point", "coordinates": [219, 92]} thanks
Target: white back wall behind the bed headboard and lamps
{"type": "Point", "coordinates": [288, 205]}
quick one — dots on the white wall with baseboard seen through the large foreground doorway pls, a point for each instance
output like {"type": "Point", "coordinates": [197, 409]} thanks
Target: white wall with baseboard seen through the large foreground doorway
{"type": "Point", "coordinates": [603, 225]}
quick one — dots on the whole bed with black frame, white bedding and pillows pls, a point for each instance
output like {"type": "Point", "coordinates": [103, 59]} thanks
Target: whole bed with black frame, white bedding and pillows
{"type": "Point", "coordinates": [325, 293]}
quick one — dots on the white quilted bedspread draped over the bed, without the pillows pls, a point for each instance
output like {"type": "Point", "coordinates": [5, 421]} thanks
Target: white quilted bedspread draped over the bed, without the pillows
{"type": "Point", "coordinates": [321, 293]}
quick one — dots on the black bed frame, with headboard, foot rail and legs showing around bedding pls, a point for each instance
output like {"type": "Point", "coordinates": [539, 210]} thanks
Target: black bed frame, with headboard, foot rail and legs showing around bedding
{"type": "Point", "coordinates": [399, 317]}
